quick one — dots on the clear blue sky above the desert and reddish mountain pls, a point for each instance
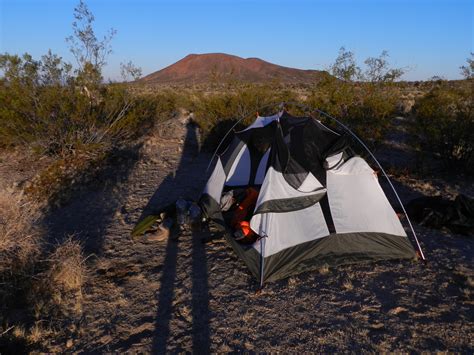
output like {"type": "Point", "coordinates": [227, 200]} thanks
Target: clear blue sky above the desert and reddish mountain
{"type": "Point", "coordinates": [431, 37]}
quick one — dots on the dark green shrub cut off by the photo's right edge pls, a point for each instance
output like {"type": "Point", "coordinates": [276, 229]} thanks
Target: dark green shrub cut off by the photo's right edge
{"type": "Point", "coordinates": [444, 125]}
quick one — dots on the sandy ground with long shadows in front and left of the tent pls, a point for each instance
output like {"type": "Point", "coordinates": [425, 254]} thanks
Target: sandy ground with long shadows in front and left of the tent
{"type": "Point", "coordinates": [186, 296]}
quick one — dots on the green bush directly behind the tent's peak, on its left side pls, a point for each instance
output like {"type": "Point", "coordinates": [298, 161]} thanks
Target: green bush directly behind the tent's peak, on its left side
{"type": "Point", "coordinates": [216, 113]}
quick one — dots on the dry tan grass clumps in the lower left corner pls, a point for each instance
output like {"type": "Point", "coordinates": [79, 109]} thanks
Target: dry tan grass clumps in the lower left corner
{"type": "Point", "coordinates": [43, 282]}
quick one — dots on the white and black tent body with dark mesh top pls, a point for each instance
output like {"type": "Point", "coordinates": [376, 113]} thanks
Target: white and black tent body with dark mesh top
{"type": "Point", "coordinates": [318, 203]}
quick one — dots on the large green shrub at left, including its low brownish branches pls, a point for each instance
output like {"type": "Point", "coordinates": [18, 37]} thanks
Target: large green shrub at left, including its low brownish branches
{"type": "Point", "coordinates": [44, 107]}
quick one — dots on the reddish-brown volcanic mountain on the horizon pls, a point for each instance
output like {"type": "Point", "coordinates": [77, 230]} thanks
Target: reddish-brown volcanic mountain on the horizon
{"type": "Point", "coordinates": [218, 67]}
